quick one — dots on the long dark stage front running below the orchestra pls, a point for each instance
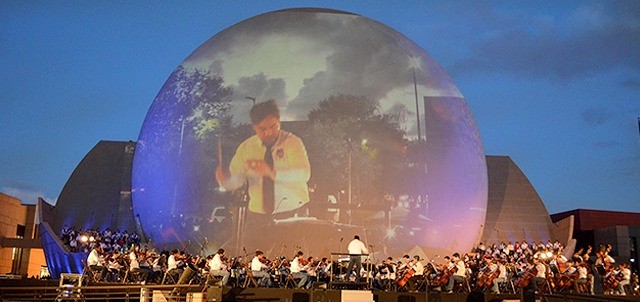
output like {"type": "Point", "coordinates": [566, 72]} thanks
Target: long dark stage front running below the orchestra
{"type": "Point", "coordinates": [51, 291]}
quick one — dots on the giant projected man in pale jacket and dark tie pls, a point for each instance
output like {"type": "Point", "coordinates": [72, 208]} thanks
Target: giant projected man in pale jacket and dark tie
{"type": "Point", "coordinates": [275, 164]}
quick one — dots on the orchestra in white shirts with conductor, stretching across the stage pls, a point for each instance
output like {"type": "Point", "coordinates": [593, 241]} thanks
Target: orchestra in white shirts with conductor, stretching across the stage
{"type": "Point", "coordinates": [497, 268]}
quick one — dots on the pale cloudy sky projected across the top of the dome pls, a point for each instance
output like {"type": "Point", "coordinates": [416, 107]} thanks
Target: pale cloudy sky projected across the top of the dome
{"type": "Point", "coordinates": [330, 53]}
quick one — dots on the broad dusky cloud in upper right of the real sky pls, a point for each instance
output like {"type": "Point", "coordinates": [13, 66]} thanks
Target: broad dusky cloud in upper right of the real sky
{"type": "Point", "coordinates": [594, 38]}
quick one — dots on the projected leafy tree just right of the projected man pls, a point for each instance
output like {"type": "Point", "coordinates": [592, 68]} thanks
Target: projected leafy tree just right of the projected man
{"type": "Point", "coordinates": [348, 128]}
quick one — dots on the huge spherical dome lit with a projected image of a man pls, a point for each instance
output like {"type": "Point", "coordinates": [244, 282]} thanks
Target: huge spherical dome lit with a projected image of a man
{"type": "Point", "coordinates": [349, 155]}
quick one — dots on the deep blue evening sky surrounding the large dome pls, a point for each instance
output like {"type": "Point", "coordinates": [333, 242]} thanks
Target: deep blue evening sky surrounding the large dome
{"type": "Point", "coordinates": [555, 85]}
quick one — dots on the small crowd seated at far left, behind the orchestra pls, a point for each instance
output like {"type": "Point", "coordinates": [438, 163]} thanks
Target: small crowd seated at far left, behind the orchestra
{"type": "Point", "coordinates": [76, 240]}
